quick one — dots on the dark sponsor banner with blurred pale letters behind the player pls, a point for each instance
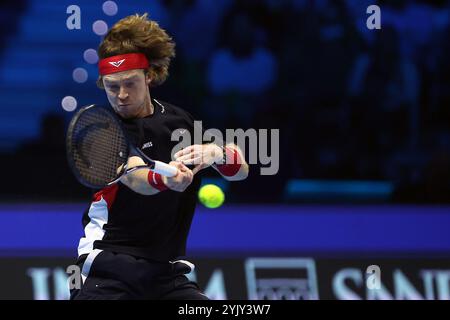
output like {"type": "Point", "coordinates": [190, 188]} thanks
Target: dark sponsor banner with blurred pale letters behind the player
{"type": "Point", "coordinates": [260, 278]}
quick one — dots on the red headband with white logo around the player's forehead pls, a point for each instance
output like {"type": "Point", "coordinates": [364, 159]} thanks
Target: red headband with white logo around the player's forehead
{"type": "Point", "coordinates": [122, 62]}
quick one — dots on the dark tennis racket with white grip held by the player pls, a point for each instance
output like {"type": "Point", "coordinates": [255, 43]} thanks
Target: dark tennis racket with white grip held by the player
{"type": "Point", "coordinates": [98, 149]}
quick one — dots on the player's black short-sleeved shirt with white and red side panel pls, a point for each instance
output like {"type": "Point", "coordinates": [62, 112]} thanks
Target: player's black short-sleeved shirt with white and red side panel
{"type": "Point", "coordinates": [149, 226]}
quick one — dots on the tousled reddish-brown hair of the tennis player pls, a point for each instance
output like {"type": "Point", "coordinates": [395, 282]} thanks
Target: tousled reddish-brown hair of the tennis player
{"type": "Point", "coordinates": [138, 34]}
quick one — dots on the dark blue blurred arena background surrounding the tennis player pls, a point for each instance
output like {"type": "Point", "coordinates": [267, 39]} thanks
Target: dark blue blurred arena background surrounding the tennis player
{"type": "Point", "coordinates": [358, 206]}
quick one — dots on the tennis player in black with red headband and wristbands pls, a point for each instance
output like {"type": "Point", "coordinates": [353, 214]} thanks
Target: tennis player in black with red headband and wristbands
{"type": "Point", "coordinates": [135, 231]}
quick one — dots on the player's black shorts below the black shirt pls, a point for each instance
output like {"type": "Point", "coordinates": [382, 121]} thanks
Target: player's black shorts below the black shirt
{"type": "Point", "coordinates": [115, 276]}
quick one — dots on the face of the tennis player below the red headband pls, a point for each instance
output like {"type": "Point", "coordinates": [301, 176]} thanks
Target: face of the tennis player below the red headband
{"type": "Point", "coordinates": [127, 92]}
